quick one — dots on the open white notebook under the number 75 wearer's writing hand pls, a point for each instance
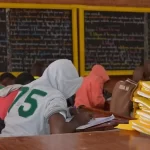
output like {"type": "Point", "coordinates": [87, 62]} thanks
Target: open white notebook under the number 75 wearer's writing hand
{"type": "Point", "coordinates": [94, 122]}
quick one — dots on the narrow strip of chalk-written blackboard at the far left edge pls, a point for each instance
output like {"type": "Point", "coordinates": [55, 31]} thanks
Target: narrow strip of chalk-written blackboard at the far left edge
{"type": "Point", "coordinates": [3, 41]}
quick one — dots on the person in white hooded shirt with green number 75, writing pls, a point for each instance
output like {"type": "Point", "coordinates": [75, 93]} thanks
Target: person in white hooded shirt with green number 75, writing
{"type": "Point", "coordinates": [41, 107]}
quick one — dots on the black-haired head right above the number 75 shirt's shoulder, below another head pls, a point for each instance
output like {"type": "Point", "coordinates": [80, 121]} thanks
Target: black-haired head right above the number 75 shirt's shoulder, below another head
{"type": "Point", "coordinates": [24, 78]}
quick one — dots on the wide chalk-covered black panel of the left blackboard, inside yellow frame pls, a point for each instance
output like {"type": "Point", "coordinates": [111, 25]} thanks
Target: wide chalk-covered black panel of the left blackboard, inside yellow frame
{"type": "Point", "coordinates": [39, 35]}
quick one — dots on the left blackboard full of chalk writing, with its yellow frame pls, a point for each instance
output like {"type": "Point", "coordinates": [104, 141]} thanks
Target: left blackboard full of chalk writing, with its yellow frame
{"type": "Point", "coordinates": [42, 33]}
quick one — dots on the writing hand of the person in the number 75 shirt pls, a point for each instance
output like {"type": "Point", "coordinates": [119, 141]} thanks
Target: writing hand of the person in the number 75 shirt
{"type": "Point", "coordinates": [83, 118]}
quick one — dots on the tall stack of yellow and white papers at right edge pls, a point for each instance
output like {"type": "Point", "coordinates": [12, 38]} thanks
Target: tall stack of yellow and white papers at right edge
{"type": "Point", "coordinates": [141, 105]}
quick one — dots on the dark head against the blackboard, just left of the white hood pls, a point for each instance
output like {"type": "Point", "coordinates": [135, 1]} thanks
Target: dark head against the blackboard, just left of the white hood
{"type": "Point", "coordinates": [37, 69]}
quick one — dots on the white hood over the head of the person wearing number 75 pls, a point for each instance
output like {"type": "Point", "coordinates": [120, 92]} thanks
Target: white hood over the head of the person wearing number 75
{"type": "Point", "coordinates": [63, 76]}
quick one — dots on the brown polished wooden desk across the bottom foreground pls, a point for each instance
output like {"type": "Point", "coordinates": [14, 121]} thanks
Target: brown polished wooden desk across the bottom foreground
{"type": "Point", "coordinates": [113, 140]}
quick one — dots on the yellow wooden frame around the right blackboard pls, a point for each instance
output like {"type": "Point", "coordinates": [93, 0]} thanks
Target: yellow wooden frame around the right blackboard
{"type": "Point", "coordinates": [83, 72]}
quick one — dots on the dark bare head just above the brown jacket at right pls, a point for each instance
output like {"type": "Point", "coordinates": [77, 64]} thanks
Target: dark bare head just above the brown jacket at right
{"type": "Point", "coordinates": [138, 74]}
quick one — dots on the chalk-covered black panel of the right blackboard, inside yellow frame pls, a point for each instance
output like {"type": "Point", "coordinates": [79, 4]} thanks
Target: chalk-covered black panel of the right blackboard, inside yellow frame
{"type": "Point", "coordinates": [114, 39]}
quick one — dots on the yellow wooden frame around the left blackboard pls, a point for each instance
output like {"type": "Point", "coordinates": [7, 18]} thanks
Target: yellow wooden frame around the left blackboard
{"type": "Point", "coordinates": [51, 6]}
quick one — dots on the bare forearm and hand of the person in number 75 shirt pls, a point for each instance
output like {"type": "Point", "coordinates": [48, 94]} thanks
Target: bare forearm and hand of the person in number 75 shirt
{"type": "Point", "coordinates": [58, 124]}
